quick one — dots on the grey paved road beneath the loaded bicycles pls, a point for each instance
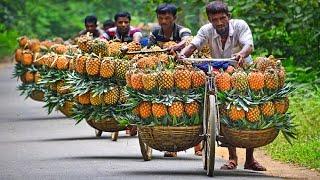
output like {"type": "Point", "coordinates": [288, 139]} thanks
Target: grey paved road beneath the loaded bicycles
{"type": "Point", "coordinates": [34, 145]}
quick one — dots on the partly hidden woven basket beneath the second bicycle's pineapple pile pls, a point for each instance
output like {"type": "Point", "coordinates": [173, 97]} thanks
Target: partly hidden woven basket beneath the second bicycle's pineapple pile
{"type": "Point", "coordinates": [107, 125]}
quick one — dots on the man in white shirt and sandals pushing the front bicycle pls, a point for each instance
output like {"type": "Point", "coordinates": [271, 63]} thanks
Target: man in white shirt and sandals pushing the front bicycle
{"type": "Point", "coordinates": [226, 38]}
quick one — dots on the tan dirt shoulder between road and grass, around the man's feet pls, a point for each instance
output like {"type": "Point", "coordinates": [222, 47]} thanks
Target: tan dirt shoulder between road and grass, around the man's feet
{"type": "Point", "coordinates": [274, 168]}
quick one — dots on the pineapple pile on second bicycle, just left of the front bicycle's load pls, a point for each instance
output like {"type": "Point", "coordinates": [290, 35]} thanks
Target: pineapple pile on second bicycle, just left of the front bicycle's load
{"type": "Point", "coordinates": [98, 80]}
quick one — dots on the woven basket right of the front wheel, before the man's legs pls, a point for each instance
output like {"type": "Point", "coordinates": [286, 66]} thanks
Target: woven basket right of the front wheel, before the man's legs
{"type": "Point", "coordinates": [249, 138]}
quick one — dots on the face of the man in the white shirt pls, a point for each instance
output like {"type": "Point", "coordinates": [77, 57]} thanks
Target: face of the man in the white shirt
{"type": "Point", "coordinates": [220, 22]}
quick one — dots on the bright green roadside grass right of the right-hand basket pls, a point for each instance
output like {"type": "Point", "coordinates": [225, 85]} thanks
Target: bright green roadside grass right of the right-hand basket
{"type": "Point", "coordinates": [305, 106]}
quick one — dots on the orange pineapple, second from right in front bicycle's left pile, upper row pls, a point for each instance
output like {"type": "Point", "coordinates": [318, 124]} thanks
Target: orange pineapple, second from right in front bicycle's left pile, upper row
{"type": "Point", "coordinates": [182, 78]}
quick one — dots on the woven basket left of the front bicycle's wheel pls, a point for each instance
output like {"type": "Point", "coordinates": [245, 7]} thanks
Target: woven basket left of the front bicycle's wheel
{"type": "Point", "coordinates": [173, 139]}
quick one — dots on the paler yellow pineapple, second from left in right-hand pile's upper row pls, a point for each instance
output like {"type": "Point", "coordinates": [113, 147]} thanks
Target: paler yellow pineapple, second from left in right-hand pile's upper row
{"type": "Point", "coordinates": [239, 80]}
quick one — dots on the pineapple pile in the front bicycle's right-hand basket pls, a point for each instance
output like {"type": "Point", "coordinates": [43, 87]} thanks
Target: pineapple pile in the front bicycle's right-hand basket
{"type": "Point", "coordinates": [256, 98]}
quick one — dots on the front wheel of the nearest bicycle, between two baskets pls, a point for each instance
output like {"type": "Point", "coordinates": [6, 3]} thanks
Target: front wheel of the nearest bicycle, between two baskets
{"type": "Point", "coordinates": [211, 135]}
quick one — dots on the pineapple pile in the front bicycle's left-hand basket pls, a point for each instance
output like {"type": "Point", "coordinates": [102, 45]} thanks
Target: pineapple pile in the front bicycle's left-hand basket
{"type": "Point", "coordinates": [163, 92]}
